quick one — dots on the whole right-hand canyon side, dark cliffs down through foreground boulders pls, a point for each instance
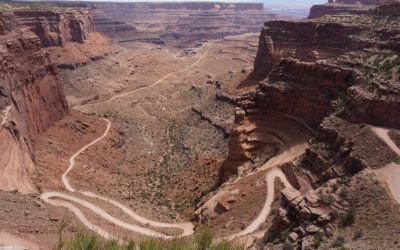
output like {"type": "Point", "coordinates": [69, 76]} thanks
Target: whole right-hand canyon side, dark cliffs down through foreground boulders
{"type": "Point", "coordinates": [337, 75]}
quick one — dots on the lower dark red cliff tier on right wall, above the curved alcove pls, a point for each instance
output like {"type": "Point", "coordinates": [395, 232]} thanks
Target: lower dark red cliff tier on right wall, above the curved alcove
{"type": "Point", "coordinates": [303, 89]}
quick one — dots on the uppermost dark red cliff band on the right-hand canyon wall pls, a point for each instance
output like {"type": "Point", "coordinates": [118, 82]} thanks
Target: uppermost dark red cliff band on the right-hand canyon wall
{"type": "Point", "coordinates": [307, 41]}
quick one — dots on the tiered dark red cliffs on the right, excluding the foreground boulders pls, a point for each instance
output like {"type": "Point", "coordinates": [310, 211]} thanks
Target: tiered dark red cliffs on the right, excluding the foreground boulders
{"type": "Point", "coordinates": [314, 70]}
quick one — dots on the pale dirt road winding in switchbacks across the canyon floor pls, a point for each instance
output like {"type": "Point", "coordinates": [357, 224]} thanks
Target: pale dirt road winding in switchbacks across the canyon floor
{"type": "Point", "coordinates": [68, 200]}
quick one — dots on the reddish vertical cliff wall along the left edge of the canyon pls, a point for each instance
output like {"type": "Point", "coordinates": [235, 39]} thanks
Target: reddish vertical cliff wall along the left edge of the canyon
{"type": "Point", "coordinates": [31, 96]}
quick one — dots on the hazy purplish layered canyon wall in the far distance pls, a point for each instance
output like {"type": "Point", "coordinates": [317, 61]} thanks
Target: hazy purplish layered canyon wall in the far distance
{"type": "Point", "coordinates": [177, 24]}
